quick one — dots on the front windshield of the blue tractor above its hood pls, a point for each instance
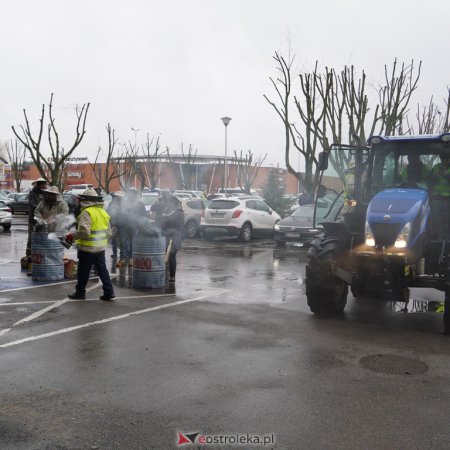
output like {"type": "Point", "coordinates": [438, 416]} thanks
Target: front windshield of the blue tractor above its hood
{"type": "Point", "coordinates": [404, 164]}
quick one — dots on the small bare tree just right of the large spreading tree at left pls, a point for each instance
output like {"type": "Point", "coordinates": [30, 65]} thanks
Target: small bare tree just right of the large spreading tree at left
{"type": "Point", "coordinates": [105, 172]}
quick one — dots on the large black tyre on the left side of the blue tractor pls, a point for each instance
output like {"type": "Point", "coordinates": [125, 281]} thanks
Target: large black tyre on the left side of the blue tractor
{"type": "Point", "coordinates": [325, 292]}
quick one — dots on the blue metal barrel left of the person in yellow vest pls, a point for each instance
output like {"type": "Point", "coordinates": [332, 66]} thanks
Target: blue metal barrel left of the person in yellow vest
{"type": "Point", "coordinates": [47, 258]}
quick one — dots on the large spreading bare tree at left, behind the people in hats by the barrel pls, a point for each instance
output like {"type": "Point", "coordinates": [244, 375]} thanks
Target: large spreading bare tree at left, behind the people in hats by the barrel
{"type": "Point", "coordinates": [51, 167]}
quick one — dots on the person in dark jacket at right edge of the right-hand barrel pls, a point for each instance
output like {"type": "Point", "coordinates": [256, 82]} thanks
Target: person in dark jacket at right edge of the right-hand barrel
{"type": "Point", "coordinates": [172, 225]}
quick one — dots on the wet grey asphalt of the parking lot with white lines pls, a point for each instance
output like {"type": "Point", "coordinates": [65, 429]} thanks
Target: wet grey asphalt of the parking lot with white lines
{"type": "Point", "coordinates": [230, 349]}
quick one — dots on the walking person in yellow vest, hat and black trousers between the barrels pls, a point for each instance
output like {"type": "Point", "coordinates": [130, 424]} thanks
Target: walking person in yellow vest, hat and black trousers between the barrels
{"type": "Point", "coordinates": [91, 238]}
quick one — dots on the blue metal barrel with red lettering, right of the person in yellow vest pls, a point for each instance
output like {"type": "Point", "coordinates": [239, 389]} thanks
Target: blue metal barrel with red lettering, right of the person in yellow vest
{"type": "Point", "coordinates": [149, 268]}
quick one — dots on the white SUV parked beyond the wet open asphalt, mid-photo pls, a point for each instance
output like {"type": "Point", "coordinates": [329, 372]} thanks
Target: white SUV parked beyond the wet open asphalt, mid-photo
{"type": "Point", "coordinates": [246, 217]}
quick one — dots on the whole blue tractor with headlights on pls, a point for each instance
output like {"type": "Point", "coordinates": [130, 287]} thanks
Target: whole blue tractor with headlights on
{"type": "Point", "coordinates": [387, 224]}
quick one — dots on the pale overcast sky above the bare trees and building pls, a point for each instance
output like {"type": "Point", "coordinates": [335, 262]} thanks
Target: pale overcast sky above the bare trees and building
{"type": "Point", "coordinates": [174, 68]}
